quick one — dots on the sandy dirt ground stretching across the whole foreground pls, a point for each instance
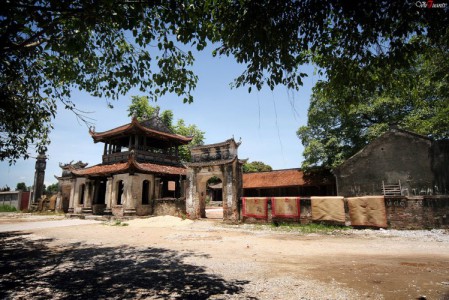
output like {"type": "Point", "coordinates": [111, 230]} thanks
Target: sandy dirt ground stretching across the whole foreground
{"type": "Point", "coordinates": [171, 258]}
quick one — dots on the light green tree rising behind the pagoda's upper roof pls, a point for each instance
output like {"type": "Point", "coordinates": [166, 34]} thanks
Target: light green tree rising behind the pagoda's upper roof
{"type": "Point", "coordinates": [141, 108]}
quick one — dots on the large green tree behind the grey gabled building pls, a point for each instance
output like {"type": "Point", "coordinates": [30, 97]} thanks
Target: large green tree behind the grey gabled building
{"type": "Point", "coordinates": [413, 98]}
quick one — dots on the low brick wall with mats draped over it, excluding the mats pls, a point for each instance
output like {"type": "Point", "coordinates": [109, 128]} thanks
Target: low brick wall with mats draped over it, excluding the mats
{"type": "Point", "coordinates": [418, 212]}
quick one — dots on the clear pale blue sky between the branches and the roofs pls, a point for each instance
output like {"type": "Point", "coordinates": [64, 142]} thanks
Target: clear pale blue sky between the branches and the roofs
{"type": "Point", "coordinates": [265, 120]}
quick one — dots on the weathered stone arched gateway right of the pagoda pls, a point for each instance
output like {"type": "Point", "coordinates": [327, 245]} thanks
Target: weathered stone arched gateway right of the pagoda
{"type": "Point", "coordinates": [216, 160]}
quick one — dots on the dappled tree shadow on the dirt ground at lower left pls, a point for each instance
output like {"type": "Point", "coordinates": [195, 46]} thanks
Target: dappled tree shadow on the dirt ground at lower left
{"type": "Point", "coordinates": [32, 269]}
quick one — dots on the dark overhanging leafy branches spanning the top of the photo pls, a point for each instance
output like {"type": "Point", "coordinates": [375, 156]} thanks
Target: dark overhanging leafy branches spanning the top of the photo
{"type": "Point", "coordinates": [107, 47]}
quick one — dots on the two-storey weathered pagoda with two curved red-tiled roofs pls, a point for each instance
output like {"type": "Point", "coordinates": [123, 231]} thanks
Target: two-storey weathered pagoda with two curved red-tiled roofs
{"type": "Point", "coordinates": [140, 164]}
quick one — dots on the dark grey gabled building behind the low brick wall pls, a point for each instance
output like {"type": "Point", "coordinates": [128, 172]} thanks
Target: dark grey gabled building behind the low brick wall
{"type": "Point", "coordinates": [407, 163]}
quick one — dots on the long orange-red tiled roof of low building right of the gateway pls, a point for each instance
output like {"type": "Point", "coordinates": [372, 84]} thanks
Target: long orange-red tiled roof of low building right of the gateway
{"type": "Point", "coordinates": [280, 178]}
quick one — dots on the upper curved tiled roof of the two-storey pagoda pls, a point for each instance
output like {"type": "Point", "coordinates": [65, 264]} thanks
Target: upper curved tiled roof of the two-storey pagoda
{"type": "Point", "coordinates": [124, 129]}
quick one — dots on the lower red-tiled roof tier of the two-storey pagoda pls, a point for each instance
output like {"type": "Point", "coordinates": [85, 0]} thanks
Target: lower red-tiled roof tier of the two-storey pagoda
{"type": "Point", "coordinates": [130, 166]}
